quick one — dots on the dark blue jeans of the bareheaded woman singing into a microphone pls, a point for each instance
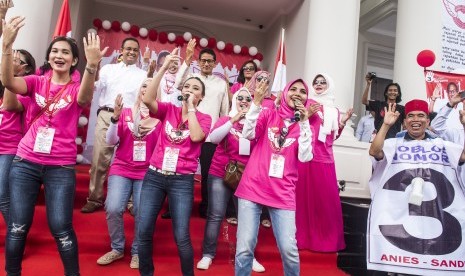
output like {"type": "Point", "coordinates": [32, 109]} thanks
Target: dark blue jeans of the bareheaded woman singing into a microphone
{"type": "Point", "coordinates": [180, 192]}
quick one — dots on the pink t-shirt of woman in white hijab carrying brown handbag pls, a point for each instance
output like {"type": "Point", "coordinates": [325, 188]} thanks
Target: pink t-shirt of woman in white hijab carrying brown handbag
{"type": "Point", "coordinates": [231, 142]}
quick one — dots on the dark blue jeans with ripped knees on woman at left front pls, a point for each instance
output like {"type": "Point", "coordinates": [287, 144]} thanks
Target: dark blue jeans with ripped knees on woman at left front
{"type": "Point", "coordinates": [59, 186]}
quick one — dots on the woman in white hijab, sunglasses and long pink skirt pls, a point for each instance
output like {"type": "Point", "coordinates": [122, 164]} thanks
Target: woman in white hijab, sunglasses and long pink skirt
{"type": "Point", "coordinates": [318, 212]}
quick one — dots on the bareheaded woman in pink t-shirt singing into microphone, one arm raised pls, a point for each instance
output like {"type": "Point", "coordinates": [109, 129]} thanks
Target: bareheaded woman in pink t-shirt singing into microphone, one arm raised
{"type": "Point", "coordinates": [172, 167]}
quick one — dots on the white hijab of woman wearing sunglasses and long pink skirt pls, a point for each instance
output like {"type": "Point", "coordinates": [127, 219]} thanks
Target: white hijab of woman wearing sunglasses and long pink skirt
{"type": "Point", "coordinates": [327, 99]}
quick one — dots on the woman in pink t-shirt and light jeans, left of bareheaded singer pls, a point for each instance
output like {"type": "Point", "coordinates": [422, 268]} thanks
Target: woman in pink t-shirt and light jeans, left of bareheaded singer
{"type": "Point", "coordinates": [136, 134]}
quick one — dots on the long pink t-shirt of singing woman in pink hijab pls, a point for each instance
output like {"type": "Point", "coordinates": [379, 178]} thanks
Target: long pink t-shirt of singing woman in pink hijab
{"type": "Point", "coordinates": [256, 185]}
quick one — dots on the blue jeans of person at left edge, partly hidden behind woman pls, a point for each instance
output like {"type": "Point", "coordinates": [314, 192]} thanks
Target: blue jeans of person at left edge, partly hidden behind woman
{"type": "Point", "coordinates": [5, 164]}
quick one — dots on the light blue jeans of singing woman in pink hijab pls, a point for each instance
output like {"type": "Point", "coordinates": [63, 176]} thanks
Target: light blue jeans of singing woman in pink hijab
{"type": "Point", "coordinates": [247, 230]}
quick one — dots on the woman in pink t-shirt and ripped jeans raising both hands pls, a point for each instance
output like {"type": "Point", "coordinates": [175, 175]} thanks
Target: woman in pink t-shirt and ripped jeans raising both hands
{"type": "Point", "coordinates": [44, 154]}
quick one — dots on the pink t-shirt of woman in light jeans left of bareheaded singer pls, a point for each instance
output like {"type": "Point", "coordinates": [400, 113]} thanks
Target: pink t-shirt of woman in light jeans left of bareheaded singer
{"type": "Point", "coordinates": [124, 164]}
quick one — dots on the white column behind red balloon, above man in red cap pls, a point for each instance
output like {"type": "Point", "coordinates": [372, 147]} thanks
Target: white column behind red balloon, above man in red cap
{"type": "Point", "coordinates": [418, 28]}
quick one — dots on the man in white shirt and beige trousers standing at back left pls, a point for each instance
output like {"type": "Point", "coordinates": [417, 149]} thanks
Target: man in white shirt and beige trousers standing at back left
{"type": "Point", "coordinates": [122, 78]}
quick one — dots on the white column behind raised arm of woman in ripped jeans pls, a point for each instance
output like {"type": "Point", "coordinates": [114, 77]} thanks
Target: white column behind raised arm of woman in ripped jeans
{"type": "Point", "coordinates": [35, 35]}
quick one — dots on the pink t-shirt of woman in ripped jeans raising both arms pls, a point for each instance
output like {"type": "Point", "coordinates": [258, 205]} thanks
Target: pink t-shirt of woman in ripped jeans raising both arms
{"type": "Point", "coordinates": [63, 116]}
